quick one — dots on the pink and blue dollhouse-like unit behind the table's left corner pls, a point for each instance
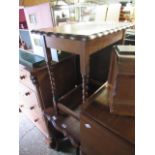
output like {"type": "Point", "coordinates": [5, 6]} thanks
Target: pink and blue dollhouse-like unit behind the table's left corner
{"type": "Point", "coordinates": [30, 18]}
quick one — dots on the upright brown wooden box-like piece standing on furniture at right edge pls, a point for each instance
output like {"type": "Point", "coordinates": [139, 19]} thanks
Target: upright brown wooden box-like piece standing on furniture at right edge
{"type": "Point", "coordinates": [121, 80]}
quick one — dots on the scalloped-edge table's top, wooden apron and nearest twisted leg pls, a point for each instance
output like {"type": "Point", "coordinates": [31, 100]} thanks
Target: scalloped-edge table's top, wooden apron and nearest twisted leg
{"type": "Point", "coordinates": [83, 39]}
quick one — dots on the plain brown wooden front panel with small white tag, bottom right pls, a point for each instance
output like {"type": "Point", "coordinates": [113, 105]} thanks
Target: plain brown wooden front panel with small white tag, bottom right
{"type": "Point", "coordinates": [95, 139]}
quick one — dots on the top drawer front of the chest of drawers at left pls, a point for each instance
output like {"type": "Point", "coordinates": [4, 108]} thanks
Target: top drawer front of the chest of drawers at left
{"type": "Point", "coordinates": [24, 78]}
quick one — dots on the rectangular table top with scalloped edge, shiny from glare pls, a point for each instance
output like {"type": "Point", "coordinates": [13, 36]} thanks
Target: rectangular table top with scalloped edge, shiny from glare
{"type": "Point", "coordinates": [84, 30]}
